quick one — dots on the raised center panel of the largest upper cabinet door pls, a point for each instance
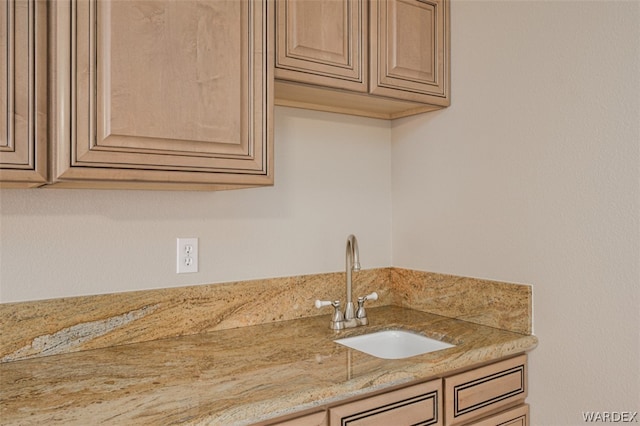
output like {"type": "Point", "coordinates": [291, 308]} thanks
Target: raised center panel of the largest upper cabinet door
{"type": "Point", "coordinates": [166, 83]}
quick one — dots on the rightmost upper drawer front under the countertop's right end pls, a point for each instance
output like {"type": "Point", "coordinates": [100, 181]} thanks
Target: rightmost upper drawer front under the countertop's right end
{"type": "Point", "coordinates": [484, 390]}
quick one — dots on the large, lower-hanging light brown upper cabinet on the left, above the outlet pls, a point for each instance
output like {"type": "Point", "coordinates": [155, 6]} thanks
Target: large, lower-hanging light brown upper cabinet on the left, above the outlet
{"type": "Point", "coordinates": [164, 94]}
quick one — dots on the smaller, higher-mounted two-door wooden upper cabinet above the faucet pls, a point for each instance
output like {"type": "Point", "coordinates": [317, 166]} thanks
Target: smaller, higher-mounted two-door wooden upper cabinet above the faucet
{"type": "Point", "coordinates": [378, 58]}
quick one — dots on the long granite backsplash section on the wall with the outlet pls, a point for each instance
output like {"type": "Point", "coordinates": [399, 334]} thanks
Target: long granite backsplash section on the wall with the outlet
{"type": "Point", "coordinates": [57, 326]}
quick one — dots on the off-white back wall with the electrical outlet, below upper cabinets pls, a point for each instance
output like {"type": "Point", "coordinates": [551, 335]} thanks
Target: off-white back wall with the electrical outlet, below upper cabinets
{"type": "Point", "coordinates": [332, 179]}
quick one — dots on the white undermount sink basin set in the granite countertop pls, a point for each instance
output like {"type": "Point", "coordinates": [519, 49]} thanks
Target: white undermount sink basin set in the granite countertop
{"type": "Point", "coordinates": [393, 344]}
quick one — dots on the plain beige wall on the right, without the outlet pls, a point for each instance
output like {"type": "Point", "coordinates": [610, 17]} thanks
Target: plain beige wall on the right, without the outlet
{"type": "Point", "coordinates": [533, 175]}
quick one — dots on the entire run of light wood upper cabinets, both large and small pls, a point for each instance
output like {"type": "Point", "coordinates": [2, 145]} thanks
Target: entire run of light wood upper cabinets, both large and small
{"type": "Point", "coordinates": [175, 94]}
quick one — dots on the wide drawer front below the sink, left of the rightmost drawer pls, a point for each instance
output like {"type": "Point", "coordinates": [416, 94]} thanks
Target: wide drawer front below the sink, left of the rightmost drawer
{"type": "Point", "coordinates": [414, 405]}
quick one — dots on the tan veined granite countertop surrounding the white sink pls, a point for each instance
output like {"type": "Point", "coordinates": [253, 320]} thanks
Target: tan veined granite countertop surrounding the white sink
{"type": "Point", "coordinates": [236, 376]}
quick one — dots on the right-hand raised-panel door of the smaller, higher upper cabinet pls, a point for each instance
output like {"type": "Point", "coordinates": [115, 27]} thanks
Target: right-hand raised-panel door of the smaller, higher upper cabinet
{"type": "Point", "coordinates": [410, 50]}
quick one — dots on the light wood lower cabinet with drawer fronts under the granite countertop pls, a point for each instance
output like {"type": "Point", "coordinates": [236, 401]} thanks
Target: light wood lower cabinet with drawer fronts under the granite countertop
{"type": "Point", "coordinates": [491, 395]}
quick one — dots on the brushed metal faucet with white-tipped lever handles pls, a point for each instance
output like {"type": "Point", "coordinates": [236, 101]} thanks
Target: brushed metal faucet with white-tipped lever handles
{"type": "Point", "coordinates": [349, 319]}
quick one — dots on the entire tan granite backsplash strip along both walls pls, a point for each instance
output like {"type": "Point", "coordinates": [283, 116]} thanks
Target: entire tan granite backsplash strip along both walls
{"type": "Point", "coordinates": [59, 326]}
